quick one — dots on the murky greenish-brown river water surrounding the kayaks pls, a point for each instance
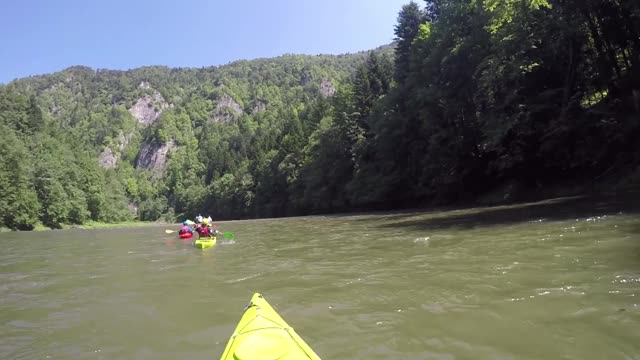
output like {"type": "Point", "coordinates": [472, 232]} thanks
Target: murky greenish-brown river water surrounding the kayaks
{"type": "Point", "coordinates": [558, 279]}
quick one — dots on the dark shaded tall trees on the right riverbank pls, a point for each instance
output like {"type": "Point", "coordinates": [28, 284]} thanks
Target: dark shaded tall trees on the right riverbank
{"type": "Point", "coordinates": [498, 91]}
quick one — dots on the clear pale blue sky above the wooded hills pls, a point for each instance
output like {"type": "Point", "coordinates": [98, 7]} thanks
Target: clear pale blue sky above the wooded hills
{"type": "Point", "coordinates": [42, 36]}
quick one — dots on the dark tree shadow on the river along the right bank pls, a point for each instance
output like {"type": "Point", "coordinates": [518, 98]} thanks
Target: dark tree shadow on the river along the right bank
{"type": "Point", "coordinates": [548, 210]}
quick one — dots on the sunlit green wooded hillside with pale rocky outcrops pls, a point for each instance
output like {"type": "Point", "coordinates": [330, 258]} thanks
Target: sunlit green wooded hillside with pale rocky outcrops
{"type": "Point", "coordinates": [154, 142]}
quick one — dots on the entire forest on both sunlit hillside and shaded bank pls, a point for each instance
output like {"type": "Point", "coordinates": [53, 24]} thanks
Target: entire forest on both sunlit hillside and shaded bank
{"type": "Point", "coordinates": [473, 98]}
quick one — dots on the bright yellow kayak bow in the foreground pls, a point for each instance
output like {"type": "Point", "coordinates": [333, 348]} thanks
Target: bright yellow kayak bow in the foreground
{"type": "Point", "coordinates": [263, 334]}
